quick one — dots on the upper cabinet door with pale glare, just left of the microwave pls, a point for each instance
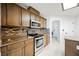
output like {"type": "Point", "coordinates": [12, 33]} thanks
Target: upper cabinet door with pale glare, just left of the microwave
{"type": "Point", "coordinates": [25, 18]}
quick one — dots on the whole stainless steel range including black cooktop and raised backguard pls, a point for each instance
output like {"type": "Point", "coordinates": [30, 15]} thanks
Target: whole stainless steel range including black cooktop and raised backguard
{"type": "Point", "coordinates": [38, 41]}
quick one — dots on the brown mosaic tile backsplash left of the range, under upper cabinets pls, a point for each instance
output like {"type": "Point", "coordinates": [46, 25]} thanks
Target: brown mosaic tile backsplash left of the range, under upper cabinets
{"type": "Point", "coordinates": [8, 34]}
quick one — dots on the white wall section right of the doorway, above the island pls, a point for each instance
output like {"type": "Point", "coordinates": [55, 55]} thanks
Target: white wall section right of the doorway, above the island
{"type": "Point", "coordinates": [68, 23]}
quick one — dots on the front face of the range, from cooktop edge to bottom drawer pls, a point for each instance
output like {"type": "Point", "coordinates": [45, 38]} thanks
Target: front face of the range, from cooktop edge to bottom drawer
{"type": "Point", "coordinates": [38, 44]}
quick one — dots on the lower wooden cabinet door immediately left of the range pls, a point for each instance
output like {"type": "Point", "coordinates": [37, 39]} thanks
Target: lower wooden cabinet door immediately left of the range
{"type": "Point", "coordinates": [29, 48]}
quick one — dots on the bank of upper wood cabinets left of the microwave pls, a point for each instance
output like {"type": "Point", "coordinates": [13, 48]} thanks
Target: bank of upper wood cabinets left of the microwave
{"type": "Point", "coordinates": [14, 15]}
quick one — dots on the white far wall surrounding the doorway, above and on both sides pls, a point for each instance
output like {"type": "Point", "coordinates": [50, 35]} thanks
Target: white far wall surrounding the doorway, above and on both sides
{"type": "Point", "coordinates": [66, 23]}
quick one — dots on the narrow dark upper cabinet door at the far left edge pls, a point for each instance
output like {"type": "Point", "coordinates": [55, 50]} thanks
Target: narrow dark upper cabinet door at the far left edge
{"type": "Point", "coordinates": [3, 14]}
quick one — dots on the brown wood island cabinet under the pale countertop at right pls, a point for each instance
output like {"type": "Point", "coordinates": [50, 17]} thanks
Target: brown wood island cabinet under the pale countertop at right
{"type": "Point", "coordinates": [70, 48]}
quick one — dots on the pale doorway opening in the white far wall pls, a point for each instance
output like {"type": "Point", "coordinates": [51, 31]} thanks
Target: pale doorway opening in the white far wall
{"type": "Point", "coordinates": [56, 30]}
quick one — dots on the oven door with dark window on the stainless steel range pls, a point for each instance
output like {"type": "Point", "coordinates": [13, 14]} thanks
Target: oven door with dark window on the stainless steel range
{"type": "Point", "coordinates": [38, 43]}
